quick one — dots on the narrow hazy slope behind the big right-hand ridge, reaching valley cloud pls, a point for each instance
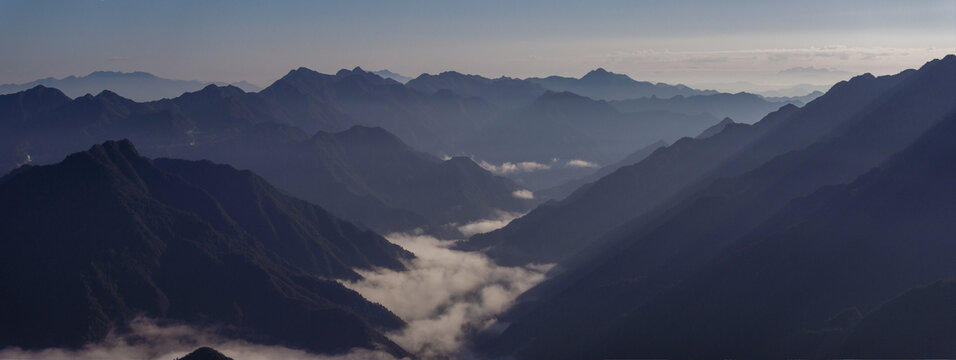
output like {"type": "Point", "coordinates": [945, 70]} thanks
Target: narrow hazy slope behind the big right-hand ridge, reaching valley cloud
{"type": "Point", "coordinates": [610, 201]}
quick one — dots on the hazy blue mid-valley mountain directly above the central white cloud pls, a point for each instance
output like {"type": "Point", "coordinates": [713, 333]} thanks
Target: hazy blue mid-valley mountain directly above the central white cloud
{"type": "Point", "coordinates": [361, 170]}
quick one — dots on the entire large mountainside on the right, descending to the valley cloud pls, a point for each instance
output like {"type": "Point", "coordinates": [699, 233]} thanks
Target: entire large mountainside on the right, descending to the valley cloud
{"type": "Point", "coordinates": [765, 253]}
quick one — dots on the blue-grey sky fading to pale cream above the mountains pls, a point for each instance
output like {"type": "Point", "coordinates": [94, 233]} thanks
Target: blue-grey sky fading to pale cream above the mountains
{"type": "Point", "coordinates": [727, 45]}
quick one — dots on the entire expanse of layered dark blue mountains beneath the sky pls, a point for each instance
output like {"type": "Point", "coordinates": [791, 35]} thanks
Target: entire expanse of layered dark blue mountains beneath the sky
{"type": "Point", "coordinates": [680, 223]}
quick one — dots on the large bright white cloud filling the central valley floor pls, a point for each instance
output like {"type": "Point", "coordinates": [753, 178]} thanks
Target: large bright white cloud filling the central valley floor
{"type": "Point", "coordinates": [445, 295]}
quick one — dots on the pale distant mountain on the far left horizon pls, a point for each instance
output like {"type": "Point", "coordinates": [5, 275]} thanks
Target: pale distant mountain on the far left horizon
{"type": "Point", "coordinates": [139, 86]}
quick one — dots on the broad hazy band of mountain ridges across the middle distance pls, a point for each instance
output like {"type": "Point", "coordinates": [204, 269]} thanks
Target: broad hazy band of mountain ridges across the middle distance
{"type": "Point", "coordinates": [448, 113]}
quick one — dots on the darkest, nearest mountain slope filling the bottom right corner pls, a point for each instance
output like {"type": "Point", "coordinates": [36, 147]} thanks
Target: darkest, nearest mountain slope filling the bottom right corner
{"type": "Point", "coordinates": [785, 285]}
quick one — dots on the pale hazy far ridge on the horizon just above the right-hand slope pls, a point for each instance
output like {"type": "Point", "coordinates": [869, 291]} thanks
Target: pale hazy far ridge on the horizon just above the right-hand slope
{"type": "Point", "coordinates": [742, 107]}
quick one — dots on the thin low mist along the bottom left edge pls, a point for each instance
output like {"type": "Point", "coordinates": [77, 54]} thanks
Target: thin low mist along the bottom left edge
{"type": "Point", "coordinates": [150, 341]}
